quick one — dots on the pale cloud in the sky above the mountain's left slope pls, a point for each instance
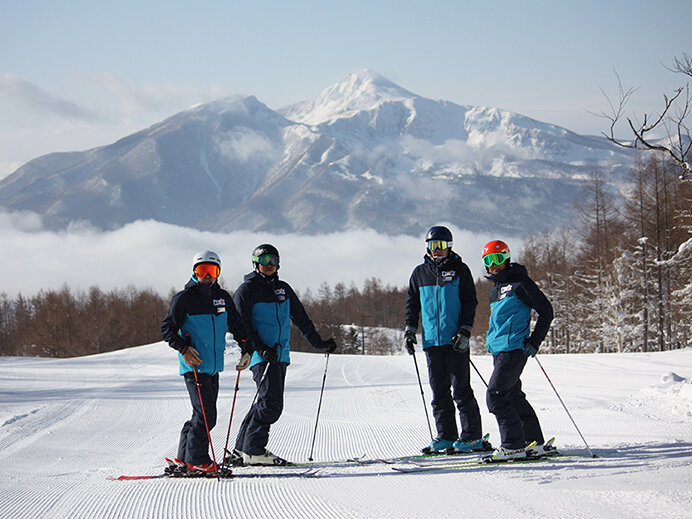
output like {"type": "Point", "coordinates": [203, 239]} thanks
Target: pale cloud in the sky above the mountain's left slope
{"type": "Point", "coordinates": [37, 120]}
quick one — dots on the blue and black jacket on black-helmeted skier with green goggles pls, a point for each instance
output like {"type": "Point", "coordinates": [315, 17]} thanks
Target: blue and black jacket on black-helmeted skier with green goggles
{"type": "Point", "coordinates": [269, 305]}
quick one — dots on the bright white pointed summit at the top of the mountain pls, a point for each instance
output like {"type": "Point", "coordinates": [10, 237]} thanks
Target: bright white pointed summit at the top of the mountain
{"type": "Point", "coordinates": [361, 91]}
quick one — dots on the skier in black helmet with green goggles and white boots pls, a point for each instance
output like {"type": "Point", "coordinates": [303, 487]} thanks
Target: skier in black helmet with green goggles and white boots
{"type": "Point", "coordinates": [269, 304]}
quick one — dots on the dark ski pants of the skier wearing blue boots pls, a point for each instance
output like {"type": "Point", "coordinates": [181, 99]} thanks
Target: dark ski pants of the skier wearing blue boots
{"type": "Point", "coordinates": [450, 368]}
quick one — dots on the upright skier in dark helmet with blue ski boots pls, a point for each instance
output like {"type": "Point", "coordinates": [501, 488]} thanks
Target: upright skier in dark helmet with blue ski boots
{"type": "Point", "coordinates": [442, 292]}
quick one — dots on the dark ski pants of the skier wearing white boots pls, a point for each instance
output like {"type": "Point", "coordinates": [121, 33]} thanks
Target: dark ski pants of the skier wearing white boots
{"type": "Point", "coordinates": [253, 435]}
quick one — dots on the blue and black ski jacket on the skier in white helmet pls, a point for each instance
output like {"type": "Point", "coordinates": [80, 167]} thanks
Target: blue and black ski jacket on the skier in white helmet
{"type": "Point", "coordinates": [205, 313]}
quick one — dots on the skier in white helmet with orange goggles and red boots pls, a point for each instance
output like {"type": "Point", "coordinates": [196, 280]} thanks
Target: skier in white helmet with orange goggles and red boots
{"type": "Point", "coordinates": [195, 326]}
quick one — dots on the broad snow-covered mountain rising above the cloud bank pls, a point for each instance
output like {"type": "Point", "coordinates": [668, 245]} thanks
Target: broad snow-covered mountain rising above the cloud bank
{"type": "Point", "coordinates": [364, 153]}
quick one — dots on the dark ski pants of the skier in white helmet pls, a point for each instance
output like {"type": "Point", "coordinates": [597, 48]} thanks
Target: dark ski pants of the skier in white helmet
{"type": "Point", "coordinates": [193, 447]}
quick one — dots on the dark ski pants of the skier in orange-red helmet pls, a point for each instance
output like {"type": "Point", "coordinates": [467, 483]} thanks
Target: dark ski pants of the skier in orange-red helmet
{"type": "Point", "coordinates": [516, 418]}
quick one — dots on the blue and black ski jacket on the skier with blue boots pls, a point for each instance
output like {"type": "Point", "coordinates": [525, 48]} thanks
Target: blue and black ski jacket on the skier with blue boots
{"type": "Point", "coordinates": [444, 295]}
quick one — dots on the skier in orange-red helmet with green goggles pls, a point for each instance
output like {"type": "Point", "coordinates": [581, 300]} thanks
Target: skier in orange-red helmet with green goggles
{"type": "Point", "coordinates": [510, 340]}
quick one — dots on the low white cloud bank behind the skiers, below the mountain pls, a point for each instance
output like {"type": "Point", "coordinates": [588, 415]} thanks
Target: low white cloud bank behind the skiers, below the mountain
{"type": "Point", "coordinates": [156, 255]}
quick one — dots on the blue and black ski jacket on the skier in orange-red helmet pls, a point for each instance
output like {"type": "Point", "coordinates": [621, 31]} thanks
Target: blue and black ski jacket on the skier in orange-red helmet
{"type": "Point", "coordinates": [512, 296]}
